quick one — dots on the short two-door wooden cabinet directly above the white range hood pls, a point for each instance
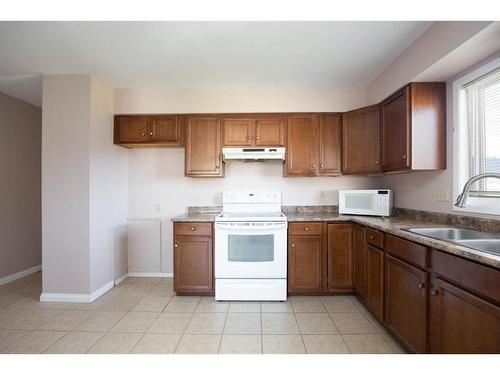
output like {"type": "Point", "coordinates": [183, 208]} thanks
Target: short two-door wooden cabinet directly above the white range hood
{"type": "Point", "coordinates": [253, 130]}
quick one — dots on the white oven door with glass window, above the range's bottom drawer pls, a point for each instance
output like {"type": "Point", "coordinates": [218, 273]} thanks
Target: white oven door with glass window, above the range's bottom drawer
{"type": "Point", "coordinates": [250, 250]}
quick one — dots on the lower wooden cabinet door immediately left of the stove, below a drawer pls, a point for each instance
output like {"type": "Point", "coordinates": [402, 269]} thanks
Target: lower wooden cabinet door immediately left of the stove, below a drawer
{"type": "Point", "coordinates": [193, 264]}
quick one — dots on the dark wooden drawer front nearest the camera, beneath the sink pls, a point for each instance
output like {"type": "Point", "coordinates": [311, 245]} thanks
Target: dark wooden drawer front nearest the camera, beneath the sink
{"type": "Point", "coordinates": [472, 276]}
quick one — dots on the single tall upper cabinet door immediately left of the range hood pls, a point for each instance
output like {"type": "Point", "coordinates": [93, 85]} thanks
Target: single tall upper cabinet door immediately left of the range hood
{"type": "Point", "coordinates": [203, 147]}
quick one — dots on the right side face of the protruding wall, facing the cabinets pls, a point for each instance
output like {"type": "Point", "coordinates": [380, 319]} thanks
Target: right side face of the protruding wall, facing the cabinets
{"type": "Point", "coordinates": [108, 186]}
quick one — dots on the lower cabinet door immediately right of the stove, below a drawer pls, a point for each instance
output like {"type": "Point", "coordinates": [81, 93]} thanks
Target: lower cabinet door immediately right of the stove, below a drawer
{"type": "Point", "coordinates": [305, 264]}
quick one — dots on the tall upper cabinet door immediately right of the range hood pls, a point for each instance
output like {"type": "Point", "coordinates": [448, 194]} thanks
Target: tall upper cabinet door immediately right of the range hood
{"type": "Point", "coordinates": [302, 145]}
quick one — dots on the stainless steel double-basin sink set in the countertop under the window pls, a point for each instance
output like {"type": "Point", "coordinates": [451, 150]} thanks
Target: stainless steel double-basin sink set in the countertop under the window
{"type": "Point", "coordinates": [472, 239]}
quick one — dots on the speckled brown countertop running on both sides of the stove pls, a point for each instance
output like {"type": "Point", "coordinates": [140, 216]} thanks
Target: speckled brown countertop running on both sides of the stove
{"type": "Point", "coordinates": [392, 225]}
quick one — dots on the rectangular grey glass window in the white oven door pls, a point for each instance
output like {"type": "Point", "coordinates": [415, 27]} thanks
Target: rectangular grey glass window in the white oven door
{"type": "Point", "coordinates": [250, 248]}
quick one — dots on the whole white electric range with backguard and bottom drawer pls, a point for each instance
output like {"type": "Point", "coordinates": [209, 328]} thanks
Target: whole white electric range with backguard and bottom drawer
{"type": "Point", "coordinates": [251, 247]}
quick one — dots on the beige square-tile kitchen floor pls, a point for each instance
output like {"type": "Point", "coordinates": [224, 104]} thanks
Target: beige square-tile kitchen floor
{"type": "Point", "coordinates": [143, 315]}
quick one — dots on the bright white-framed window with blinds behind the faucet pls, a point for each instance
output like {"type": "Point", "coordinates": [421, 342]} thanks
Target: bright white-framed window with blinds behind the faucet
{"type": "Point", "coordinates": [477, 136]}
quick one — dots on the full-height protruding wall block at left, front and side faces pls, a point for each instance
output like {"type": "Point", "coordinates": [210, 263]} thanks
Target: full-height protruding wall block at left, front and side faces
{"type": "Point", "coordinates": [84, 185]}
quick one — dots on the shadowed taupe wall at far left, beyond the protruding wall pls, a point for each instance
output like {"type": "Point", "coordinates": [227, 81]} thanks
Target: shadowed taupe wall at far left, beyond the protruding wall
{"type": "Point", "coordinates": [20, 186]}
